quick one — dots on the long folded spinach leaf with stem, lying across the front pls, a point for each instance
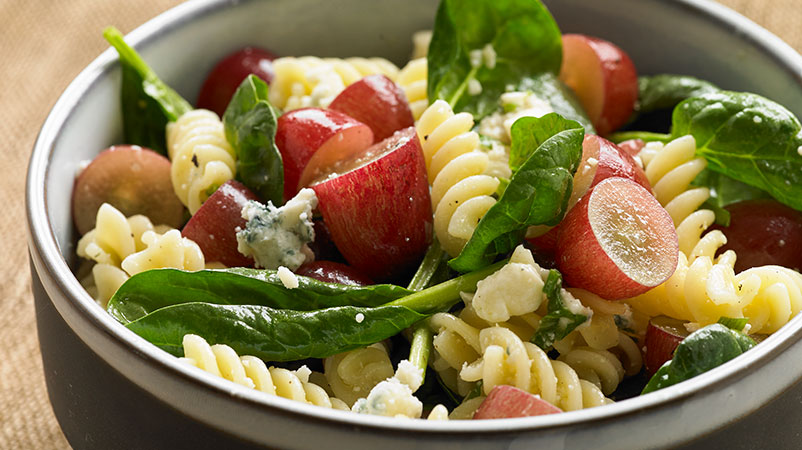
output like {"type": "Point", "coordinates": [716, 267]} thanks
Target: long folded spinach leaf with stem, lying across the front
{"type": "Point", "coordinates": [163, 315]}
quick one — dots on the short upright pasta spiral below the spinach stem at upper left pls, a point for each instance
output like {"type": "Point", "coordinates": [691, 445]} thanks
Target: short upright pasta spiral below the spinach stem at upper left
{"type": "Point", "coordinates": [202, 159]}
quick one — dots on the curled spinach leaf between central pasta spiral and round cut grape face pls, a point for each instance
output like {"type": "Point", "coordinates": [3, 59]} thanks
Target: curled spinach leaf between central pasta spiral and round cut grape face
{"type": "Point", "coordinates": [550, 148]}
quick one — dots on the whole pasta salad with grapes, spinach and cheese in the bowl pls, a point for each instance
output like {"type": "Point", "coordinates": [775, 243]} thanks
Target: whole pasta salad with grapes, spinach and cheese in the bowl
{"type": "Point", "coordinates": [484, 232]}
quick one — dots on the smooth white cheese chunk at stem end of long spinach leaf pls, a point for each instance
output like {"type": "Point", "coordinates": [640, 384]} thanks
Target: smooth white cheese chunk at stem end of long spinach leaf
{"type": "Point", "coordinates": [513, 290]}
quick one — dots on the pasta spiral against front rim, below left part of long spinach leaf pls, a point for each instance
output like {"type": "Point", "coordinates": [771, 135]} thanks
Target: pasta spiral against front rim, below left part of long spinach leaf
{"type": "Point", "coordinates": [250, 371]}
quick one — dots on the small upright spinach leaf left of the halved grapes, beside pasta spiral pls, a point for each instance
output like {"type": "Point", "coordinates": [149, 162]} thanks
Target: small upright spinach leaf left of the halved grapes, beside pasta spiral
{"type": "Point", "coordinates": [250, 126]}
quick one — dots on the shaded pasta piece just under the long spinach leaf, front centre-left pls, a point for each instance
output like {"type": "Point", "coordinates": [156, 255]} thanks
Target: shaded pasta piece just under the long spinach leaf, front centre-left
{"type": "Point", "coordinates": [353, 374]}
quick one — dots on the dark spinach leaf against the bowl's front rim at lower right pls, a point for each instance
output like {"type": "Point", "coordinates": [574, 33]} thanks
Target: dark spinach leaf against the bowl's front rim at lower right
{"type": "Point", "coordinates": [702, 350]}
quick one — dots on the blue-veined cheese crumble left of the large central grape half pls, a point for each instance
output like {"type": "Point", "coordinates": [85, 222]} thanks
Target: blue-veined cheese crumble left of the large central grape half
{"type": "Point", "coordinates": [277, 236]}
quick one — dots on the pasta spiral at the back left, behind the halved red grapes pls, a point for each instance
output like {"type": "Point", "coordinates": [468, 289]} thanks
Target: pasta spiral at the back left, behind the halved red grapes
{"type": "Point", "coordinates": [306, 81]}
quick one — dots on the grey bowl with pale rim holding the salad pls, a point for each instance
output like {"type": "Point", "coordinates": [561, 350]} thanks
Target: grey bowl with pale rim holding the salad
{"type": "Point", "coordinates": [111, 389]}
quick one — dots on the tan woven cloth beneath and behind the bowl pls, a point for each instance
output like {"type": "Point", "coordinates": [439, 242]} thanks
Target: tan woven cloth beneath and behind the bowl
{"type": "Point", "coordinates": [43, 45]}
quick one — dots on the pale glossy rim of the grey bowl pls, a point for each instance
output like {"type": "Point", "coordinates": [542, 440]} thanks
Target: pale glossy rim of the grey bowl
{"type": "Point", "coordinates": [43, 243]}
